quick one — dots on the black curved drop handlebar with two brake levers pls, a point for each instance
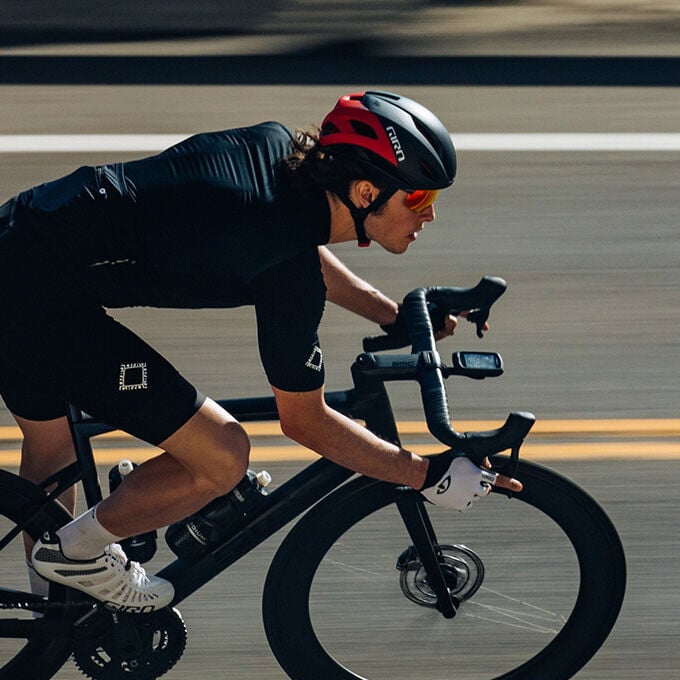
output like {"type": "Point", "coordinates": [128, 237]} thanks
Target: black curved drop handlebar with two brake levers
{"type": "Point", "coordinates": [430, 374]}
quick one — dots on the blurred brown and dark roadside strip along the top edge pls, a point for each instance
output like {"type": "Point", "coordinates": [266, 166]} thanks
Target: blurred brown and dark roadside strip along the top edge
{"type": "Point", "coordinates": [435, 27]}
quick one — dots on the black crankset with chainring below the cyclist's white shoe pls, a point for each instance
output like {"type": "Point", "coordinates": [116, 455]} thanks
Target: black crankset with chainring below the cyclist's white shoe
{"type": "Point", "coordinates": [111, 646]}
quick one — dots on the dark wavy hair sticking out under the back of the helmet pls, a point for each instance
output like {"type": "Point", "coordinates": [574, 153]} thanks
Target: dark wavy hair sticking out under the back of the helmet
{"type": "Point", "coordinates": [311, 168]}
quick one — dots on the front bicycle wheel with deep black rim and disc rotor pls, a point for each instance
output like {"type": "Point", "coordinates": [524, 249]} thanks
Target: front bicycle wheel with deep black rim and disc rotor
{"type": "Point", "coordinates": [540, 577]}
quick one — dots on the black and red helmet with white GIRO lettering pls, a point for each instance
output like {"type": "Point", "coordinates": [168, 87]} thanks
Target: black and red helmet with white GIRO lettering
{"type": "Point", "coordinates": [399, 138]}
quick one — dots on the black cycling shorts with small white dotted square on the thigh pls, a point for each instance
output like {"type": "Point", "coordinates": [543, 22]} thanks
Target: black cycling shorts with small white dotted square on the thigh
{"type": "Point", "coordinates": [57, 346]}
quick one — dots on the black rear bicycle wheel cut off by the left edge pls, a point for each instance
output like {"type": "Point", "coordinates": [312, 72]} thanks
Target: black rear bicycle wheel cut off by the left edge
{"type": "Point", "coordinates": [30, 647]}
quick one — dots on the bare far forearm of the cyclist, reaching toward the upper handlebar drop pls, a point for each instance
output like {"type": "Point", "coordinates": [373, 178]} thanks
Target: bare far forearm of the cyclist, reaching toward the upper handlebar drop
{"type": "Point", "coordinates": [346, 289]}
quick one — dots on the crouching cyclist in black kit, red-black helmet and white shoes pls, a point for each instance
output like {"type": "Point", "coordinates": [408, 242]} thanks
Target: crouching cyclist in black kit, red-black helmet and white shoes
{"type": "Point", "coordinates": [222, 219]}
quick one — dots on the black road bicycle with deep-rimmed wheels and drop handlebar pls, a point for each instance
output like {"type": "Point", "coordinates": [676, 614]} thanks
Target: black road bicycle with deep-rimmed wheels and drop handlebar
{"type": "Point", "coordinates": [446, 589]}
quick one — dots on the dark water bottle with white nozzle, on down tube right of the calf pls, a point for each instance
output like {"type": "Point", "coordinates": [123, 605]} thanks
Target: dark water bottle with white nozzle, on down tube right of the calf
{"type": "Point", "coordinates": [194, 535]}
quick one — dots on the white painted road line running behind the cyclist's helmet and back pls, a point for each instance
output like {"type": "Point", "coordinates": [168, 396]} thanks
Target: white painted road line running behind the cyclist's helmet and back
{"type": "Point", "coordinates": [642, 141]}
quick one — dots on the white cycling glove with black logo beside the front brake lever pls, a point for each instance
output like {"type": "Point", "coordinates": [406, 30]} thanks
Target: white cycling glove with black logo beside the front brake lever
{"type": "Point", "coordinates": [462, 484]}
